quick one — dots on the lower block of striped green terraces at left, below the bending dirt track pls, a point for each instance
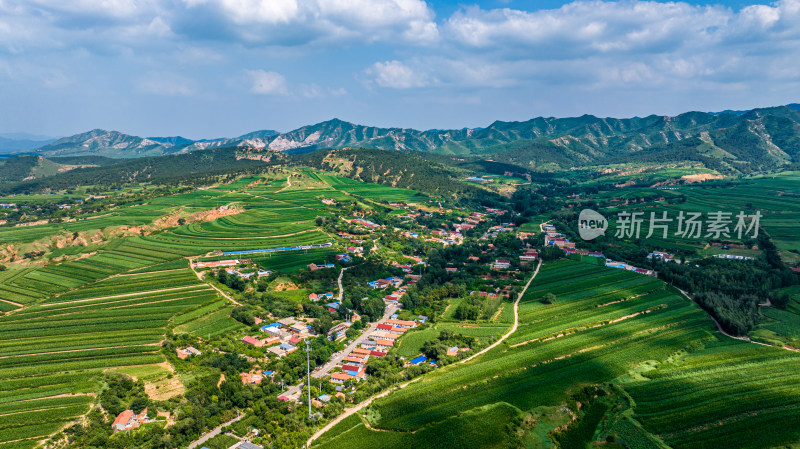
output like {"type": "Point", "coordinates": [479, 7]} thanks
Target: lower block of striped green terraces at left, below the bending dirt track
{"type": "Point", "coordinates": [50, 353]}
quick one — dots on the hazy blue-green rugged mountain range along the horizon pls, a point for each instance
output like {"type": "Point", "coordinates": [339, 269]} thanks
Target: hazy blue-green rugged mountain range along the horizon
{"type": "Point", "coordinates": [735, 141]}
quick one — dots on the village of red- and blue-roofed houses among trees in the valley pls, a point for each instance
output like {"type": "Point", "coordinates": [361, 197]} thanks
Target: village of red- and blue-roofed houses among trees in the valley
{"type": "Point", "coordinates": [356, 313]}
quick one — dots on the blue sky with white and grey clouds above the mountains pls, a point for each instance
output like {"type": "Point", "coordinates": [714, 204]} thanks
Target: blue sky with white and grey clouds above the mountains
{"type": "Point", "coordinates": [213, 68]}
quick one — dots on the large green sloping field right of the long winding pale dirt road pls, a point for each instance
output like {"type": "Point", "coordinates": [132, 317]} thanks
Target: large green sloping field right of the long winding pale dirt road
{"type": "Point", "coordinates": [605, 326]}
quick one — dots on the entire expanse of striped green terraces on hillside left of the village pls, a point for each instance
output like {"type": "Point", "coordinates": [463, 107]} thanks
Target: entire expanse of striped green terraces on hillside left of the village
{"type": "Point", "coordinates": [71, 320]}
